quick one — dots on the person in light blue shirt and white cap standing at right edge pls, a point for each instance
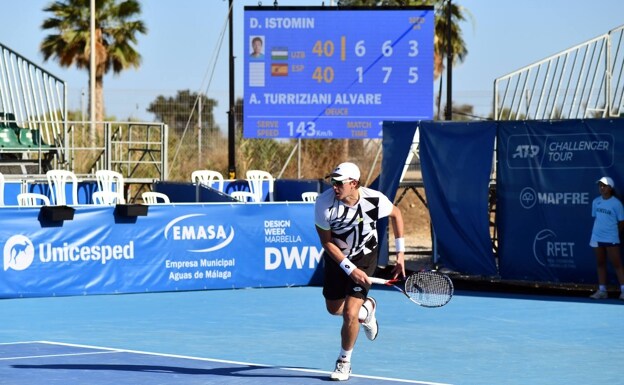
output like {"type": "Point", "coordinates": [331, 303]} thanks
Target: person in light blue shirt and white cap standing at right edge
{"type": "Point", "coordinates": [608, 216]}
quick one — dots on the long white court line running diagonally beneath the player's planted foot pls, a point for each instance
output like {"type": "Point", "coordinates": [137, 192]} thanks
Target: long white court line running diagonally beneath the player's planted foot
{"type": "Point", "coordinates": [111, 350]}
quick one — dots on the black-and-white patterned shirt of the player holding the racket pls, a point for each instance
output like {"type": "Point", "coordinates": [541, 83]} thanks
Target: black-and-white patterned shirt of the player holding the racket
{"type": "Point", "coordinates": [354, 228]}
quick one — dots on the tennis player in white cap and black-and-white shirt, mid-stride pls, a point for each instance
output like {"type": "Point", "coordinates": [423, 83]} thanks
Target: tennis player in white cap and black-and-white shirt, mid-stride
{"type": "Point", "coordinates": [346, 221]}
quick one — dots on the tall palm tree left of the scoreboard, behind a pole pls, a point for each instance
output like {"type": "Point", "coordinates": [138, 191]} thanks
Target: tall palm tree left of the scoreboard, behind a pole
{"type": "Point", "coordinates": [116, 28]}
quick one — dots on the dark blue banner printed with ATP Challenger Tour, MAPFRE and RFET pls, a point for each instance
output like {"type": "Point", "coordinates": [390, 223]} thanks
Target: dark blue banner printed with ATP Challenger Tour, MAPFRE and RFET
{"type": "Point", "coordinates": [547, 173]}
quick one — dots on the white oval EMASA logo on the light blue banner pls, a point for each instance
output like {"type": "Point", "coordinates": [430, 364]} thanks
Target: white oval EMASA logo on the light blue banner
{"type": "Point", "coordinates": [192, 229]}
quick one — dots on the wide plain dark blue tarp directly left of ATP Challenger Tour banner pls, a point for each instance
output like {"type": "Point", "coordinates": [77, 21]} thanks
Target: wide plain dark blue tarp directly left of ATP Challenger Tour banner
{"type": "Point", "coordinates": [456, 160]}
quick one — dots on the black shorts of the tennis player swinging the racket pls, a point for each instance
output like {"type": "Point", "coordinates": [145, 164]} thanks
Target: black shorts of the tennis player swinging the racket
{"type": "Point", "coordinates": [338, 285]}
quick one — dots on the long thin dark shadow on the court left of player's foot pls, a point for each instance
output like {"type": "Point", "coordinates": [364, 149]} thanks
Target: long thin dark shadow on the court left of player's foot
{"type": "Point", "coordinates": [238, 371]}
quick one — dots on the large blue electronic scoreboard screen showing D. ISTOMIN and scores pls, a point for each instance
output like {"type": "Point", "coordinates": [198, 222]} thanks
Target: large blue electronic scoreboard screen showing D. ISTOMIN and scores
{"type": "Point", "coordinates": [335, 73]}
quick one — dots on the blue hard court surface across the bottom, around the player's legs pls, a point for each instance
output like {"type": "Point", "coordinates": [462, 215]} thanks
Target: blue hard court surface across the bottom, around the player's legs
{"type": "Point", "coordinates": [285, 336]}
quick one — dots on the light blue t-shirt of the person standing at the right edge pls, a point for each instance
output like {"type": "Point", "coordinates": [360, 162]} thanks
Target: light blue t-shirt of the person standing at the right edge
{"type": "Point", "coordinates": [608, 212]}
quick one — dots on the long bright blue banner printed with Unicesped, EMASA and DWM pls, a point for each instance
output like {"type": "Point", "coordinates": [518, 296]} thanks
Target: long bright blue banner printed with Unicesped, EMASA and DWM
{"type": "Point", "coordinates": [180, 247]}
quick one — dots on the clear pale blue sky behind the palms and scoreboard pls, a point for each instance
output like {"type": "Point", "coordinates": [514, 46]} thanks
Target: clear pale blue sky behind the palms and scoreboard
{"type": "Point", "coordinates": [181, 49]}
